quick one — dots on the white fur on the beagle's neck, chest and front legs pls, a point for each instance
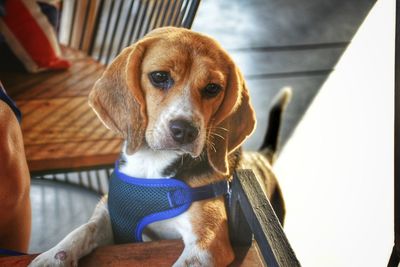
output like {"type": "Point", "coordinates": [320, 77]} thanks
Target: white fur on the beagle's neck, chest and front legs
{"type": "Point", "coordinates": [144, 163]}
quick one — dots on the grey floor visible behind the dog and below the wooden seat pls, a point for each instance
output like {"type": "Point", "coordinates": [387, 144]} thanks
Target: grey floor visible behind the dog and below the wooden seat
{"type": "Point", "coordinates": [275, 43]}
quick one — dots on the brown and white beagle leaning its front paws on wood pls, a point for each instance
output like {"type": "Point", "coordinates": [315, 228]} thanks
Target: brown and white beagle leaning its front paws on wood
{"type": "Point", "coordinates": [183, 108]}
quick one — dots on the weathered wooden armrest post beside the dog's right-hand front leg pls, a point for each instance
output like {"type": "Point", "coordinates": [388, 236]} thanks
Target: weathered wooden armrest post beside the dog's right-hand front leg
{"type": "Point", "coordinates": [252, 216]}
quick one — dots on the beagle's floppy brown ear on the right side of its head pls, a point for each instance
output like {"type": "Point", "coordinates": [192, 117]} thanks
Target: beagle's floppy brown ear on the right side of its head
{"type": "Point", "coordinates": [233, 122]}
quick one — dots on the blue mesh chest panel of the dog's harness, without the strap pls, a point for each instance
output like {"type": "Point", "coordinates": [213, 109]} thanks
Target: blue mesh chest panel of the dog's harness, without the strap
{"type": "Point", "coordinates": [134, 203]}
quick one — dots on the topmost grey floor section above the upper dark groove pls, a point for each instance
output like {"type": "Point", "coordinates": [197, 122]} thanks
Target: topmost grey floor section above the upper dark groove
{"type": "Point", "coordinates": [260, 23]}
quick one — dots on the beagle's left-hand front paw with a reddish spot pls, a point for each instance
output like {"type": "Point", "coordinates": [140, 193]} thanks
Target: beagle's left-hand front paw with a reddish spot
{"type": "Point", "coordinates": [55, 257]}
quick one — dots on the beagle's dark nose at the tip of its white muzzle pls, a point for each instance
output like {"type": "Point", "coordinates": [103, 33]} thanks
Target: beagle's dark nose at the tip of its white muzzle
{"type": "Point", "coordinates": [183, 132]}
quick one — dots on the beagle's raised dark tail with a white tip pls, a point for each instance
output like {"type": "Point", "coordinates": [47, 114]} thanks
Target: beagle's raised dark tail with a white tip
{"type": "Point", "coordinates": [271, 141]}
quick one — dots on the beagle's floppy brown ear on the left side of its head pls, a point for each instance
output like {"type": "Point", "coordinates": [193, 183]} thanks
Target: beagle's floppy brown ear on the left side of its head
{"type": "Point", "coordinates": [117, 97]}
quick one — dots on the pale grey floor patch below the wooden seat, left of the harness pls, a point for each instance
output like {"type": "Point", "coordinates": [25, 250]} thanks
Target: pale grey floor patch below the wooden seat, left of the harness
{"type": "Point", "coordinates": [57, 208]}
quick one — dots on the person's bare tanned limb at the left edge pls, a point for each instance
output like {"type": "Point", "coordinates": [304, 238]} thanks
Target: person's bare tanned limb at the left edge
{"type": "Point", "coordinates": [15, 209]}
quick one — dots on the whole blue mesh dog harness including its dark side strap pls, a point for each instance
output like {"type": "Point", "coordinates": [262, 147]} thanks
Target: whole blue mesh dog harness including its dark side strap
{"type": "Point", "coordinates": [134, 203]}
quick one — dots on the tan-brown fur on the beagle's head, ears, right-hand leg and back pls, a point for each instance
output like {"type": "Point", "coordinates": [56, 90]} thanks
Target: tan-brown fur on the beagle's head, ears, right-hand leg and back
{"type": "Point", "coordinates": [127, 103]}
